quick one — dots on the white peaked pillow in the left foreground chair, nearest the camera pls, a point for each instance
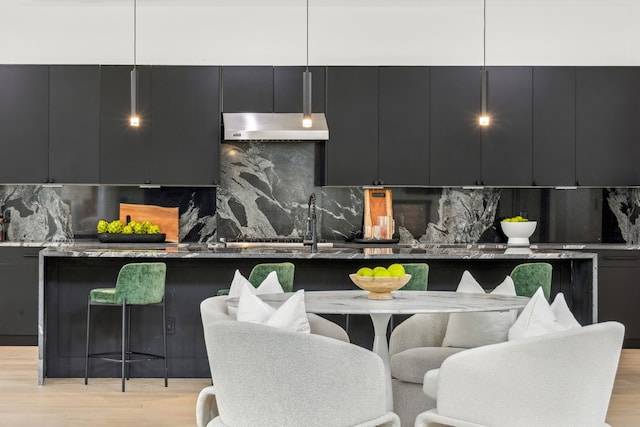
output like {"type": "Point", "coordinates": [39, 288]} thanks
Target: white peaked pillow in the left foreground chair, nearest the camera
{"type": "Point", "coordinates": [291, 315]}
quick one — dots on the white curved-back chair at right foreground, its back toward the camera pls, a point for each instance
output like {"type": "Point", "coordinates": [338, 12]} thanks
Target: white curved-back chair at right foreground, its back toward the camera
{"type": "Point", "coordinates": [559, 379]}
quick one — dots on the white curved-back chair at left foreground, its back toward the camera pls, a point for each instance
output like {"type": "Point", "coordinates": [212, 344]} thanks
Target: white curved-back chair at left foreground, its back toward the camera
{"type": "Point", "coordinates": [264, 376]}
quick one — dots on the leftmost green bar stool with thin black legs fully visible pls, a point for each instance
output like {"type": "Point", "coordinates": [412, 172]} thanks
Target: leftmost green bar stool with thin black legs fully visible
{"type": "Point", "coordinates": [139, 284]}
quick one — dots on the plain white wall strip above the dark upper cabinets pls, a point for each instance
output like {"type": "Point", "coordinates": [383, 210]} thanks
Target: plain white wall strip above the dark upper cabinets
{"type": "Point", "coordinates": [342, 32]}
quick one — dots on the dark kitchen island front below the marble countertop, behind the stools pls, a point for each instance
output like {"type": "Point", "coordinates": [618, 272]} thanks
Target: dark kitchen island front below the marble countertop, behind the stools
{"type": "Point", "coordinates": [67, 283]}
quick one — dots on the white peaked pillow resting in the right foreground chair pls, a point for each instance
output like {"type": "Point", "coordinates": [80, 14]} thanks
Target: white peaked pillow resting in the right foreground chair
{"type": "Point", "coordinates": [538, 318]}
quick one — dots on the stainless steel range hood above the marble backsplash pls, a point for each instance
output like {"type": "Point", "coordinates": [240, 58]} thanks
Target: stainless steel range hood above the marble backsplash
{"type": "Point", "coordinates": [273, 127]}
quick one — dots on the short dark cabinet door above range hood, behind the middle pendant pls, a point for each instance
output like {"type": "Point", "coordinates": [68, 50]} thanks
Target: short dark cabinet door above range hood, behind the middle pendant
{"type": "Point", "coordinates": [287, 89]}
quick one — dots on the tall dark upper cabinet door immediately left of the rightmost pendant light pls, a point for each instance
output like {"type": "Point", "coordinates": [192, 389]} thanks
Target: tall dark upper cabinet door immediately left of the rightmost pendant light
{"type": "Point", "coordinates": [455, 133]}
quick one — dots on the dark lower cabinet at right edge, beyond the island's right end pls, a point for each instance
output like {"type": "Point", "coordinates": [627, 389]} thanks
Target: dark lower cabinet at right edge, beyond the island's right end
{"type": "Point", "coordinates": [619, 292]}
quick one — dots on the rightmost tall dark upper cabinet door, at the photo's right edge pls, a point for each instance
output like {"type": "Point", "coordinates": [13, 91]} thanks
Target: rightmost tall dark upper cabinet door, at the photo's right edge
{"type": "Point", "coordinates": [607, 126]}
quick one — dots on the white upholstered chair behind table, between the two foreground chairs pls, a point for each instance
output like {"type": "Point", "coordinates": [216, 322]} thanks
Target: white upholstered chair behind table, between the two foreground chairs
{"type": "Point", "coordinates": [415, 347]}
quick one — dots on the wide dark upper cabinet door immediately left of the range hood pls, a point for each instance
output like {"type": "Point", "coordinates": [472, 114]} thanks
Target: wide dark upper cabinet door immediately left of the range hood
{"type": "Point", "coordinates": [185, 125]}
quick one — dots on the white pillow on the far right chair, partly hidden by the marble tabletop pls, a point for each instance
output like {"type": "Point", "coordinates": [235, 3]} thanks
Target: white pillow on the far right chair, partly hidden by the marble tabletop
{"type": "Point", "coordinates": [468, 330]}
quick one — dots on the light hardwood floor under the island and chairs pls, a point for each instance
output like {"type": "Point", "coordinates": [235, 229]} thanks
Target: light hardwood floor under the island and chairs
{"type": "Point", "coordinates": [68, 402]}
